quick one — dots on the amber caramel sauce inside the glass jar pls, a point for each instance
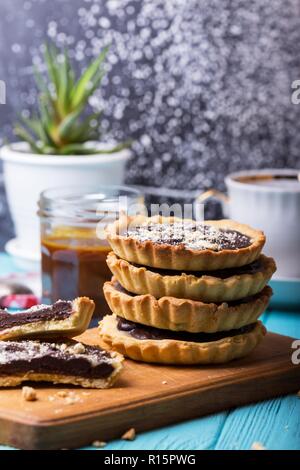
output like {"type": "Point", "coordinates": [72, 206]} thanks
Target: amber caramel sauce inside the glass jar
{"type": "Point", "coordinates": [75, 266]}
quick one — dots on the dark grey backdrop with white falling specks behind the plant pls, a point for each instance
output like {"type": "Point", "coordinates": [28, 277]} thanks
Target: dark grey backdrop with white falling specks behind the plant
{"type": "Point", "coordinates": [202, 86]}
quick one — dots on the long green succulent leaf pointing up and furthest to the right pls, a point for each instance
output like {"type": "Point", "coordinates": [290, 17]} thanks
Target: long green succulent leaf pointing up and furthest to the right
{"type": "Point", "coordinates": [86, 81]}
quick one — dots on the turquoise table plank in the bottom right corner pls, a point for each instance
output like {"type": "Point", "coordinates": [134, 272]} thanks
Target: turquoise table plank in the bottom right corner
{"type": "Point", "coordinates": [274, 423]}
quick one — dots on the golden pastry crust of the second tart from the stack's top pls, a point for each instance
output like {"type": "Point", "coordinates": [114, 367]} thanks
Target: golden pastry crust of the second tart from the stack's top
{"type": "Point", "coordinates": [196, 286]}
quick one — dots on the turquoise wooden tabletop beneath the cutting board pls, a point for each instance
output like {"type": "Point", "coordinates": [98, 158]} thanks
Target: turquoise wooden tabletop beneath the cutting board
{"type": "Point", "coordinates": [274, 423]}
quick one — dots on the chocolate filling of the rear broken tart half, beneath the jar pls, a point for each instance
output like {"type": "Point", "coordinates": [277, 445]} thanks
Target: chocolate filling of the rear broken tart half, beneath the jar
{"type": "Point", "coordinates": [61, 310]}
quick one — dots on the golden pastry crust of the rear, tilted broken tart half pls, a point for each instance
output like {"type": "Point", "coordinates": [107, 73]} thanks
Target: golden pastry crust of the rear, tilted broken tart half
{"type": "Point", "coordinates": [70, 327]}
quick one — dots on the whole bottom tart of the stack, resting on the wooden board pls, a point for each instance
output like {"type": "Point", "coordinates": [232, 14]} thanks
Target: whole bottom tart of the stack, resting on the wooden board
{"type": "Point", "coordinates": [148, 344]}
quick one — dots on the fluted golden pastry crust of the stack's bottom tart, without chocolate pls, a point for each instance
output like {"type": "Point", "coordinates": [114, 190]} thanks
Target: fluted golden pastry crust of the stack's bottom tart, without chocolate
{"type": "Point", "coordinates": [170, 351]}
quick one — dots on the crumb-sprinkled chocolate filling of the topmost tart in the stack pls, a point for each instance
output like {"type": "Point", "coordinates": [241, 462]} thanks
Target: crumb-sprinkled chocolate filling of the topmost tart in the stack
{"type": "Point", "coordinates": [192, 235]}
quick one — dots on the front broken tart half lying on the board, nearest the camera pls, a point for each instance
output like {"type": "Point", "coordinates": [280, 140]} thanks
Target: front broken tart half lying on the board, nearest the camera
{"type": "Point", "coordinates": [68, 362]}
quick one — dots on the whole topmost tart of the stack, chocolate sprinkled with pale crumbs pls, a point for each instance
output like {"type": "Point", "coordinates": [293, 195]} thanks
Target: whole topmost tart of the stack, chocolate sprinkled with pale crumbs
{"type": "Point", "coordinates": [184, 244]}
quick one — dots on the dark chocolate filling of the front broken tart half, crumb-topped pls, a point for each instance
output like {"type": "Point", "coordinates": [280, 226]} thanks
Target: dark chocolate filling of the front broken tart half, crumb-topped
{"type": "Point", "coordinates": [18, 357]}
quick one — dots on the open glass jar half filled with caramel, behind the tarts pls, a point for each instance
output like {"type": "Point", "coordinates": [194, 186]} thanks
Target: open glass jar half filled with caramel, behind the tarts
{"type": "Point", "coordinates": [73, 244]}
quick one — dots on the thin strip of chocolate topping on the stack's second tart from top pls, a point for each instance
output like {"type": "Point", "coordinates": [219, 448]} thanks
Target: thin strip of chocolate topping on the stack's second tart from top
{"type": "Point", "coordinates": [252, 268]}
